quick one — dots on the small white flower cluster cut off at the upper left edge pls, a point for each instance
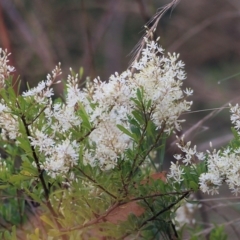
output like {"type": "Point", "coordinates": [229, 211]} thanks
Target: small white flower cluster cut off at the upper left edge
{"type": "Point", "coordinates": [5, 69]}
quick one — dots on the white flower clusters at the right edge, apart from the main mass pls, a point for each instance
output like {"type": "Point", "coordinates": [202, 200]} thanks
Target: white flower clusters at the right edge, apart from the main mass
{"type": "Point", "coordinates": [222, 166]}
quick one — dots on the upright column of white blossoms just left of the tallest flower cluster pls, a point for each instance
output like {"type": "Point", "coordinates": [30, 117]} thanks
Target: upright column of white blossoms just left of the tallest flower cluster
{"type": "Point", "coordinates": [112, 107]}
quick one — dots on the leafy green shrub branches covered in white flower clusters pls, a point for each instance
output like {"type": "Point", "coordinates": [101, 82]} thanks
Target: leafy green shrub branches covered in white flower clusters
{"type": "Point", "coordinates": [86, 160]}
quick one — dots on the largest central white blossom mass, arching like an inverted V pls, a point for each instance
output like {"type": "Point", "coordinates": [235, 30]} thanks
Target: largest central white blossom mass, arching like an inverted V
{"type": "Point", "coordinates": [160, 78]}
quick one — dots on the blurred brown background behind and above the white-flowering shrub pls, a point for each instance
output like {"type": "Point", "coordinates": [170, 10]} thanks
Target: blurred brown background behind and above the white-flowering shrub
{"type": "Point", "coordinates": [100, 34]}
